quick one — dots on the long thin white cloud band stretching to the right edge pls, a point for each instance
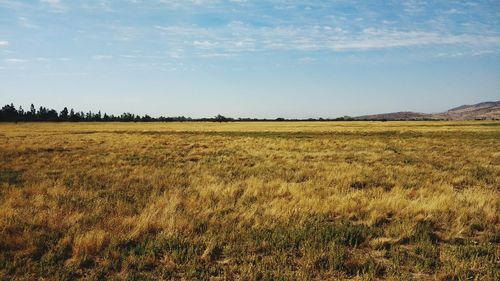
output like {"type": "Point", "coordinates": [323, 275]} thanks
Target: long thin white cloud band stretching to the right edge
{"type": "Point", "coordinates": [243, 38]}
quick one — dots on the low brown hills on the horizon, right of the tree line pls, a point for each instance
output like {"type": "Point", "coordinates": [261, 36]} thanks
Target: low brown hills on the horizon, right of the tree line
{"type": "Point", "coordinates": [480, 111]}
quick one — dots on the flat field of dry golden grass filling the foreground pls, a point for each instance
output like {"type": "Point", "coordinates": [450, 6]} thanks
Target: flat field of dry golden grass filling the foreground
{"type": "Point", "coordinates": [250, 201]}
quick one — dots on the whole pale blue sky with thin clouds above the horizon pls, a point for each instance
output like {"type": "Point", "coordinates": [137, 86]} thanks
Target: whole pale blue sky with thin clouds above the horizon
{"type": "Point", "coordinates": [242, 58]}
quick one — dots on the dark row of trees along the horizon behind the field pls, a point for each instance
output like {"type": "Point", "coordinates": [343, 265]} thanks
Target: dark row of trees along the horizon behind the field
{"type": "Point", "coordinates": [9, 113]}
